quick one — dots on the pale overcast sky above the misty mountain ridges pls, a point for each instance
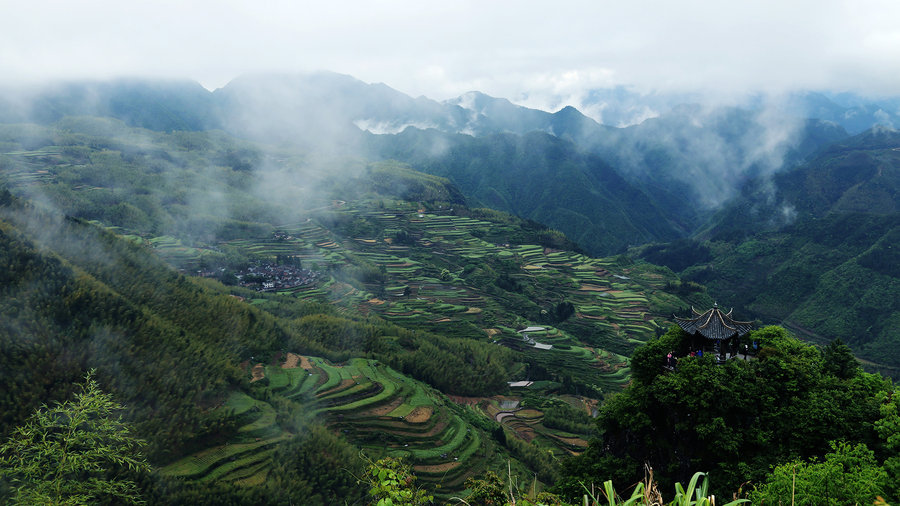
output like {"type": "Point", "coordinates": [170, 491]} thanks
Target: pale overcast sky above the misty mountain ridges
{"type": "Point", "coordinates": [537, 53]}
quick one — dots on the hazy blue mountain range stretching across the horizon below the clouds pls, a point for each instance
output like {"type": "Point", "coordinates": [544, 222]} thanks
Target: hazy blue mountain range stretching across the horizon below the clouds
{"type": "Point", "coordinates": [683, 160]}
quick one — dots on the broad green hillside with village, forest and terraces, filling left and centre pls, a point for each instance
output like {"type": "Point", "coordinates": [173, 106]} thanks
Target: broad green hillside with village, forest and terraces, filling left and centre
{"type": "Point", "coordinates": [411, 316]}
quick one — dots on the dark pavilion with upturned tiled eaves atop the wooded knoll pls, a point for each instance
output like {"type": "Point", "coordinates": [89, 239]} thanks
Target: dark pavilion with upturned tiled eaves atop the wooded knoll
{"type": "Point", "coordinates": [716, 330]}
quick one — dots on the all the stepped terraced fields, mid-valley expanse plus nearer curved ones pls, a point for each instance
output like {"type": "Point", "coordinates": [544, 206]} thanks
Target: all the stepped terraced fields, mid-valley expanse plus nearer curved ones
{"type": "Point", "coordinates": [430, 263]}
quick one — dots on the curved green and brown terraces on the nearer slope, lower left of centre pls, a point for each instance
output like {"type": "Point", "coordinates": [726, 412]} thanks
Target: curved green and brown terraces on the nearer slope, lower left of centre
{"type": "Point", "coordinates": [377, 408]}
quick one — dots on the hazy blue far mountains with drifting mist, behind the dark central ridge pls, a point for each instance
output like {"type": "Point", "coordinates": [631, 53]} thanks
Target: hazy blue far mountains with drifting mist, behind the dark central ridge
{"type": "Point", "coordinates": [688, 160]}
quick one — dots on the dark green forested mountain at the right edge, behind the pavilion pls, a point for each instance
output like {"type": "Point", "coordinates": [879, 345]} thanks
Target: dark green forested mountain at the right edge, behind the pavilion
{"type": "Point", "coordinates": [813, 247]}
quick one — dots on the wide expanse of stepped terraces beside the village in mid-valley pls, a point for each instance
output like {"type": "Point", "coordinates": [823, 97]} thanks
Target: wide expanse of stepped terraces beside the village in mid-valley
{"type": "Point", "coordinates": [427, 283]}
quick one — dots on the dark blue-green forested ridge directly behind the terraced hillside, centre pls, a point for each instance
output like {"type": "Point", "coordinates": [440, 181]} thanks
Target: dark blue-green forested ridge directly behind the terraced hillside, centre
{"type": "Point", "coordinates": [539, 177]}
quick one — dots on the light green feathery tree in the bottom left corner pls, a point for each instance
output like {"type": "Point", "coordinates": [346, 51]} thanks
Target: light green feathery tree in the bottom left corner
{"type": "Point", "coordinates": [73, 453]}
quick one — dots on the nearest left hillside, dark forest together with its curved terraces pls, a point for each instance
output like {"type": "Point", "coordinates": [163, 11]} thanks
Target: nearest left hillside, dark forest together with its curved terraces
{"type": "Point", "coordinates": [175, 351]}
